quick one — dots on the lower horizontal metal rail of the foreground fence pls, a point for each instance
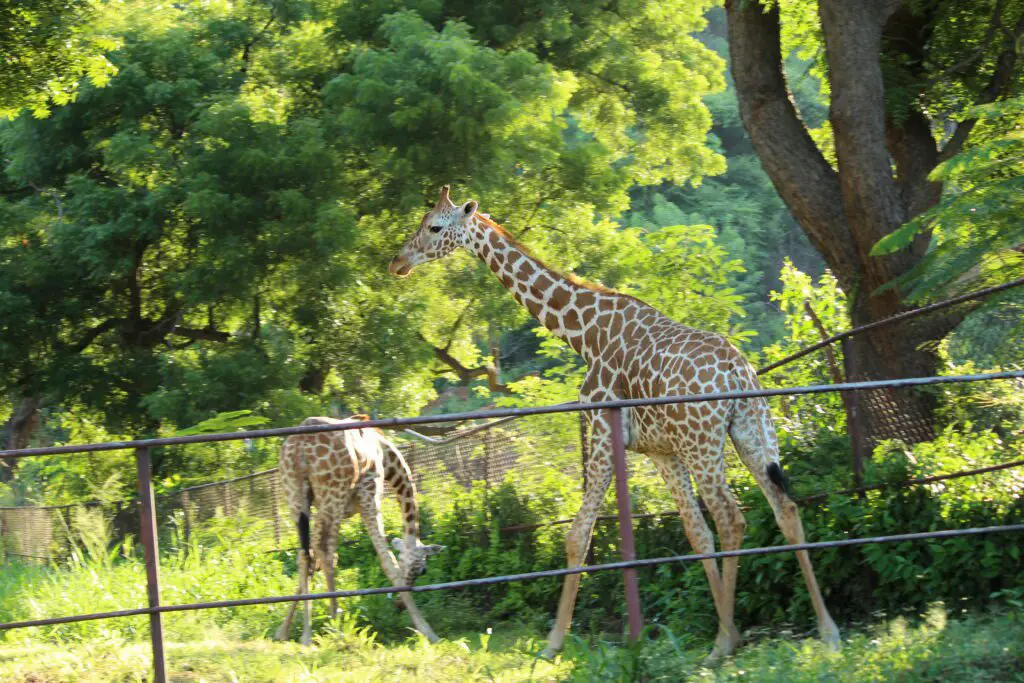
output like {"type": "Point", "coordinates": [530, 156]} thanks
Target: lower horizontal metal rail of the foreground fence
{"type": "Point", "coordinates": [530, 576]}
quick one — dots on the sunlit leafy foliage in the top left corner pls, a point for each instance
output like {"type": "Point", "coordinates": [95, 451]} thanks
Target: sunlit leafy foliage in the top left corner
{"type": "Point", "coordinates": [47, 49]}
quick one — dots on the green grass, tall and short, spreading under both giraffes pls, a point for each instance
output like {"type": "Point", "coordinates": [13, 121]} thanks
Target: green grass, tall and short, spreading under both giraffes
{"type": "Point", "coordinates": [374, 642]}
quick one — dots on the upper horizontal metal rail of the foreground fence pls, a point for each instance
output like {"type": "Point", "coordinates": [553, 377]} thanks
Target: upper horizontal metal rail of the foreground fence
{"type": "Point", "coordinates": [511, 412]}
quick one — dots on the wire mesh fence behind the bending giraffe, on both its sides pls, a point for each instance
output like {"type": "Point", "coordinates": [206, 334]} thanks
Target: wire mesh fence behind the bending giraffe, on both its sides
{"type": "Point", "coordinates": [531, 451]}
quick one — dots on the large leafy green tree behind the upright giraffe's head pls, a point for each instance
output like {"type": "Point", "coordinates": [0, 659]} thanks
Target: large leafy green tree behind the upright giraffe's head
{"type": "Point", "coordinates": [210, 232]}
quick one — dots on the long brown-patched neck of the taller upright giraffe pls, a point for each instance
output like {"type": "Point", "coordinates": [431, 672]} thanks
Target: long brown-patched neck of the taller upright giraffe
{"type": "Point", "coordinates": [565, 307]}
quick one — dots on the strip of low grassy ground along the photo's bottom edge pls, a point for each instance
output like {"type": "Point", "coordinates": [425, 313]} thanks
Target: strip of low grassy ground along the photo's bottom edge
{"type": "Point", "coordinates": [932, 649]}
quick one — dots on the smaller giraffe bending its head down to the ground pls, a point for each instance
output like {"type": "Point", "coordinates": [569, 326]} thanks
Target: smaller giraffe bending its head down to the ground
{"type": "Point", "coordinates": [344, 472]}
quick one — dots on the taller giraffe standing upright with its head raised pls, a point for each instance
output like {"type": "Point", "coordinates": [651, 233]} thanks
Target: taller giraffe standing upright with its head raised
{"type": "Point", "coordinates": [634, 352]}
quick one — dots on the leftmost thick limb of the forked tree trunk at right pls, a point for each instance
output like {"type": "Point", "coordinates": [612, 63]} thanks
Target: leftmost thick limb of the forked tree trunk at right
{"type": "Point", "coordinates": [797, 168]}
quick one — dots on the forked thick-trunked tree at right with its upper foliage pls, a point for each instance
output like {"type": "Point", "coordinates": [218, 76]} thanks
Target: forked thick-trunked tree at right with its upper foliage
{"type": "Point", "coordinates": [902, 79]}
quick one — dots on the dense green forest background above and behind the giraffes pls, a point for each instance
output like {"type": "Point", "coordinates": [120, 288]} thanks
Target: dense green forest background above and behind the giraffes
{"type": "Point", "coordinates": [199, 200]}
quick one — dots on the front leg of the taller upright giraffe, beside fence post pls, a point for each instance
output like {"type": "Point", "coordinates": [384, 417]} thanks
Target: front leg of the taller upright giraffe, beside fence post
{"type": "Point", "coordinates": [600, 473]}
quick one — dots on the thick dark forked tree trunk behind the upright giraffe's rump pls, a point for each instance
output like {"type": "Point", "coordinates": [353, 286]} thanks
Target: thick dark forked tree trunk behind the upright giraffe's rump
{"type": "Point", "coordinates": [846, 210]}
